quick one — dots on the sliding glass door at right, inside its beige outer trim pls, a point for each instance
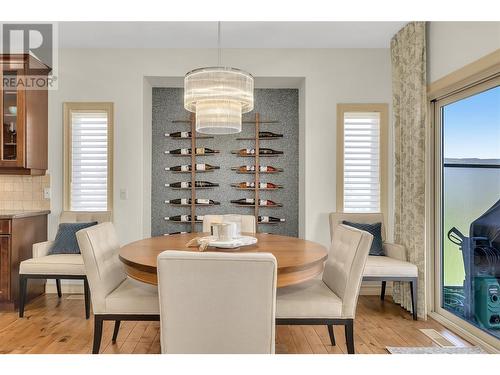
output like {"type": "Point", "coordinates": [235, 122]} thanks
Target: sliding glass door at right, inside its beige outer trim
{"type": "Point", "coordinates": [468, 203]}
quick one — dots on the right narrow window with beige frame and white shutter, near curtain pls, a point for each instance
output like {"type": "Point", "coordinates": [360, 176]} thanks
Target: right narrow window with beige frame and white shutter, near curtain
{"type": "Point", "coordinates": [361, 157]}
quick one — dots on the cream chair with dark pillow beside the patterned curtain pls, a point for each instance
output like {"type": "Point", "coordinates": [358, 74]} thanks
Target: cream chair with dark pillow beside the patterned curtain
{"type": "Point", "coordinates": [393, 266]}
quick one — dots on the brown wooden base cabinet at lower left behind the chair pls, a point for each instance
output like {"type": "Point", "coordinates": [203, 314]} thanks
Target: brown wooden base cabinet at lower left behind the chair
{"type": "Point", "coordinates": [18, 232]}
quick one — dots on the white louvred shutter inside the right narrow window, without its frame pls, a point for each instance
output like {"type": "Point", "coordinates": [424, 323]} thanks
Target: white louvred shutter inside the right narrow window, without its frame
{"type": "Point", "coordinates": [361, 162]}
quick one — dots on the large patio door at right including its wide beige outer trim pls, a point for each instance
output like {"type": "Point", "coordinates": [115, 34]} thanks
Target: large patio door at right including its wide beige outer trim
{"type": "Point", "coordinates": [464, 189]}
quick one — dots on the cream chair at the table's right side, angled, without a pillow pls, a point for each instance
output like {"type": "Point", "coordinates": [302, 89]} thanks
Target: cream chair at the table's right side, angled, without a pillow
{"type": "Point", "coordinates": [331, 300]}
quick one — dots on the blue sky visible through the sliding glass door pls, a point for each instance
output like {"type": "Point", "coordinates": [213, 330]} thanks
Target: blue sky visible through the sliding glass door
{"type": "Point", "coordinates": [472, 126]}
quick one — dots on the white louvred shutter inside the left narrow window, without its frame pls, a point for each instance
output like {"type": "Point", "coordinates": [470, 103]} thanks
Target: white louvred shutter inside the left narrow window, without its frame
{"type": "Point", "coordinates": [89, 161]}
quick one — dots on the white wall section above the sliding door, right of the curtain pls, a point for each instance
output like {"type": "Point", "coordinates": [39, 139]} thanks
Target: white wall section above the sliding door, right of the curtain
{"type": "Point", "coordinates": [452, 45]}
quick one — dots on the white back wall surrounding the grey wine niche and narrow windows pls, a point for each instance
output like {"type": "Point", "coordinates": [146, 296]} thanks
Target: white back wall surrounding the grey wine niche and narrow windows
{"type": "Point", "coordinates": [331, 76]}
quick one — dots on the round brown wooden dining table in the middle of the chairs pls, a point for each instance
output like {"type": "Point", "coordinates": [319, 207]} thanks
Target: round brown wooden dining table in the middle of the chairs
{"type": "Point", "coordinates": [298, 260]}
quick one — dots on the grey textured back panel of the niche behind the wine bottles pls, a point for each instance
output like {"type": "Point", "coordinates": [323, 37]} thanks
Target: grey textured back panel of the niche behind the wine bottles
{"type": "Point", "coordinates": [280, 105]}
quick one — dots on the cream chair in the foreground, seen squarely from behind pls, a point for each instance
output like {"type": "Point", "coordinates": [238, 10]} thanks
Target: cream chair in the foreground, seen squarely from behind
{"type": "Point", "coordinates": [217, 302]}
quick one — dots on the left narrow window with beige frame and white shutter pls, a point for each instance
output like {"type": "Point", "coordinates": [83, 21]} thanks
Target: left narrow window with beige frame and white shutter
{"type": "Point", "coordinates": [88, 156]}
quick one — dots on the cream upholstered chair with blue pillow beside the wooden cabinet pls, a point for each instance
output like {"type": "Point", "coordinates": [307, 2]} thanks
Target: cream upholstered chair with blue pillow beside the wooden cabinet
{"type": "Point", "coordinates": [58, 266]}
